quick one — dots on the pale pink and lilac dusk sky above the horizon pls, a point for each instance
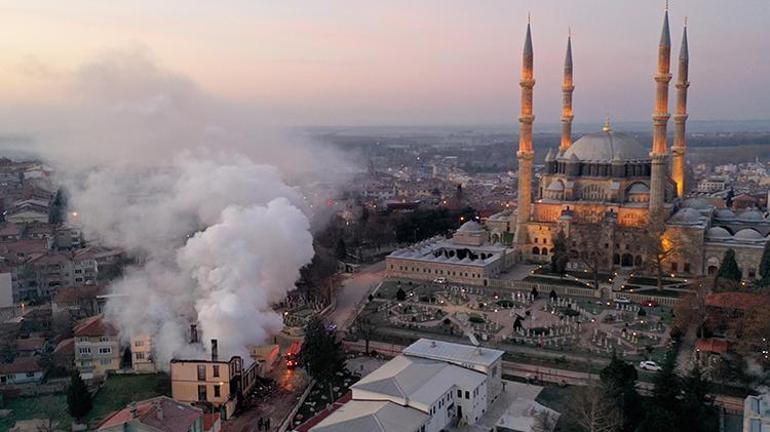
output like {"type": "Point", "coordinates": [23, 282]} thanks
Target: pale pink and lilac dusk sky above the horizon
{"type": "Point", "coordinates": [396, 62]}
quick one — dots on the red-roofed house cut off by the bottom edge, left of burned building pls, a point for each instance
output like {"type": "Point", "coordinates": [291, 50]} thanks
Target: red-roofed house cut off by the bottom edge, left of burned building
{"type": "Point", "coordinates": [160, 414]}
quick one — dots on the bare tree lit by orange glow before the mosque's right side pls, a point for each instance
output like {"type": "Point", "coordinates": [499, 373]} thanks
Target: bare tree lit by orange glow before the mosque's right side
{"type": "Point", "coordinates": [660, 244]}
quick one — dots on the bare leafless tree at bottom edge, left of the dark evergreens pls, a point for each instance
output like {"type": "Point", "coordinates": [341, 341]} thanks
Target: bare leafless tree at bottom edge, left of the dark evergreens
{"type": "Point", "coordinates": [593, 411]}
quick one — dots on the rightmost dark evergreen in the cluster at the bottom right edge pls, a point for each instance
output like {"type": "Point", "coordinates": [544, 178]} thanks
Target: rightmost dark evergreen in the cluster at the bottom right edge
{"type": "Point", "coordinates": [697, 414]}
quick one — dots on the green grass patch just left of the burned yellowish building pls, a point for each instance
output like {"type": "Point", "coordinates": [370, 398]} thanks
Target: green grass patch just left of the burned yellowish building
{"type": "Point", "coordinates": [119, 390]}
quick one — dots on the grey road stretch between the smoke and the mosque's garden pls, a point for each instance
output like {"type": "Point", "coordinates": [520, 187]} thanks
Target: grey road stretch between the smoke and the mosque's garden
{"type": "Point", "coordinates": [354, 290]}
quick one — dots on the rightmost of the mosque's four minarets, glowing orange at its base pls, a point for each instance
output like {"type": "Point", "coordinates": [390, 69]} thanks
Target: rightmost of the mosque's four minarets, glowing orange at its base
{"type": "Point", "coordinates": [680, 118]}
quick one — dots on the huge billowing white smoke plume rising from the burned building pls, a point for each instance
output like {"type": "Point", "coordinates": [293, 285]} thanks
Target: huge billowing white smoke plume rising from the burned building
{"type": "Point", "coordinates": [156, 167]}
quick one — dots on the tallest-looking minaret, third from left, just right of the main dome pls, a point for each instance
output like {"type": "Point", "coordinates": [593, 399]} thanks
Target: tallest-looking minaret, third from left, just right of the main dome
{"type": "Point", "coordinates": [660, 120]}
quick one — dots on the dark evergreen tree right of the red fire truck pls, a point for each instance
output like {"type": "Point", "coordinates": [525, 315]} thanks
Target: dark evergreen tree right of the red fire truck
{"type": "Point", "coordinates": [321, 355]}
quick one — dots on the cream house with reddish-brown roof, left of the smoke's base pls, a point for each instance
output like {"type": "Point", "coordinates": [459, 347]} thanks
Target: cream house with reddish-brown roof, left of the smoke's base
{"type": "Point", "coordinates": [97, 349]}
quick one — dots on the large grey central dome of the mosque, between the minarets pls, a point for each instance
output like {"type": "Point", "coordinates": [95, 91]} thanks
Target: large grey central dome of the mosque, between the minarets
{"type": "Point", "coordinates": [607, 146]}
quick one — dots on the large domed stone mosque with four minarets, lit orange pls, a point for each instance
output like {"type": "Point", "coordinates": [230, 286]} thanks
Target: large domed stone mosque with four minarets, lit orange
{"type": "Point", "coordinates": [606, 179]}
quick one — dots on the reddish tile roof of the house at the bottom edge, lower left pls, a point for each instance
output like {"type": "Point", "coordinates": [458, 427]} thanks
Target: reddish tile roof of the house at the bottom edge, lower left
{"type": "Point", "coordinates": [173, 416]}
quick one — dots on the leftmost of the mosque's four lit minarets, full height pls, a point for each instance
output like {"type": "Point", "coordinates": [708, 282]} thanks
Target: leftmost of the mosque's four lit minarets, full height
{"type": "Point", "coordinates": [525, 155]}
